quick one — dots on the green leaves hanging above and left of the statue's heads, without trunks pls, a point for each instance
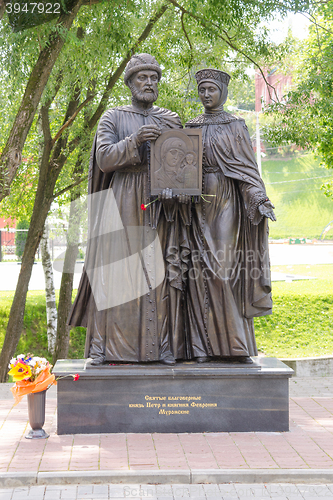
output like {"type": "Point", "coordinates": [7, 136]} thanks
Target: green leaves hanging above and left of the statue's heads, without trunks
{"type": "Point", "coordinates": [189, 35]}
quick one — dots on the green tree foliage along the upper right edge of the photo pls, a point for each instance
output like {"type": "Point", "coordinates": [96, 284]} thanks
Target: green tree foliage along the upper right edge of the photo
{"type": "Point", "coordinates": [305, 116]}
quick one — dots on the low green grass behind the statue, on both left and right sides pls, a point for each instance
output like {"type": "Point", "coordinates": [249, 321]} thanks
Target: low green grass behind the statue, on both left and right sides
{"type": "Point", "coordinates": [301, 324]}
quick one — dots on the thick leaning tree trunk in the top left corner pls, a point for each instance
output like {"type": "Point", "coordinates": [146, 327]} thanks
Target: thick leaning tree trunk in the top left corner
{"type": "Point", "coordinates": [12, 153]}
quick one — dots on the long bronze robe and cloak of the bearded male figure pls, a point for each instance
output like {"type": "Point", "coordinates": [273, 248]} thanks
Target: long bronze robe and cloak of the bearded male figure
{"type": "Point", "coordinates": [151, 325]}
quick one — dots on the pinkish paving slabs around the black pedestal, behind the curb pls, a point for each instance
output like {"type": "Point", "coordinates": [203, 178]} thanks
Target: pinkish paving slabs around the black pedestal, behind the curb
{"type": "Point", "coordinates": [308, 445]}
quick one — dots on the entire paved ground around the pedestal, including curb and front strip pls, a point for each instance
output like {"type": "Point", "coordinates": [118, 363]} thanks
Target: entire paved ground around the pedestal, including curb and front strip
{"type": "Point", "coordinates": [303, 455]}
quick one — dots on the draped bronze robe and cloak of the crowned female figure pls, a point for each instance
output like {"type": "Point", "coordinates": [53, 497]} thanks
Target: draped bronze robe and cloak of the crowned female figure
{"type": "Point", "coordinates": [229, 275]}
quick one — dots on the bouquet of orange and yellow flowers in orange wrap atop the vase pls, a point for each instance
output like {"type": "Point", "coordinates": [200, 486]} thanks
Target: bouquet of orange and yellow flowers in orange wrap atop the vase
{"type": "Point", "coordinates": [30, 374]}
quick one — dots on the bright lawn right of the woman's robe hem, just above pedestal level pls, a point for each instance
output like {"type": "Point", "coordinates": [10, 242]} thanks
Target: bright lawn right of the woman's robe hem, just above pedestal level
{"type": "Point", "coordinates": [302, 321]}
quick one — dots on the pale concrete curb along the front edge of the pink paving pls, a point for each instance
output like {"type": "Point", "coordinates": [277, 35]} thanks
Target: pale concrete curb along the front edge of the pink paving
{"type": "Point", "coordinates": [209, 476]}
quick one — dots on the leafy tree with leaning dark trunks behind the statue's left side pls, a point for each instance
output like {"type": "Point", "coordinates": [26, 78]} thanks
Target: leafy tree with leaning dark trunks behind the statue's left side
{"type": "Point", "coordinates": [88, 56]}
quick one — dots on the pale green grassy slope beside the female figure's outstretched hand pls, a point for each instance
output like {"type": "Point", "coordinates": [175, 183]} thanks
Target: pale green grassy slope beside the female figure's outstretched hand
{"type": "Point", "coordinates": [293, 184]}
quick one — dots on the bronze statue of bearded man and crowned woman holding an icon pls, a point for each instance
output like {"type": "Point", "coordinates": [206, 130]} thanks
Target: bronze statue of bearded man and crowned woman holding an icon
{"type": "Point", "coordinates": [177, 262]}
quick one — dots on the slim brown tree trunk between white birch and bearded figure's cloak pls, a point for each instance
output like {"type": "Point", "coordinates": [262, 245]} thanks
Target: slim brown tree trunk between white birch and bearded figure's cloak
{"type": "Point", "coordinates": [67, 278]}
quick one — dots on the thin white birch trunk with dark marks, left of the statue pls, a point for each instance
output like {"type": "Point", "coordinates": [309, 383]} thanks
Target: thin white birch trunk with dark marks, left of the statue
{"type": "Point", "coordinates": [51, 308]}
